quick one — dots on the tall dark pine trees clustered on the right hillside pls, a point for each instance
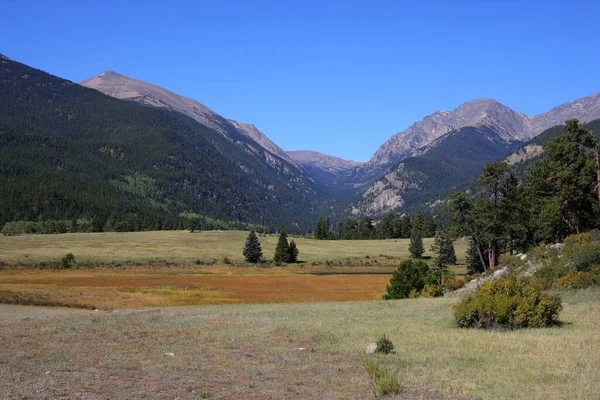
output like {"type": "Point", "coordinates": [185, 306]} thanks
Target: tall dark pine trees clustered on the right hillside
{"type": "Point", "coordinates": [557, 197]}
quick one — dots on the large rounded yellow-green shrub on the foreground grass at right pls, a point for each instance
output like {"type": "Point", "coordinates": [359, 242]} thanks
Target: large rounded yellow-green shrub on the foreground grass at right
{"type": "Point", "coordinates": [508, 302]}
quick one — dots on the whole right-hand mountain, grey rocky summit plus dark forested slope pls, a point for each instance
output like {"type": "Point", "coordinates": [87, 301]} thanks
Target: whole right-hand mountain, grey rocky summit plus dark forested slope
{"type": "Point", "coordinates": [403, 174]}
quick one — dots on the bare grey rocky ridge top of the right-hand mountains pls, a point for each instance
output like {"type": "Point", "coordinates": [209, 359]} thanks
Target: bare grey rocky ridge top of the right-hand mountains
{"type": "Point", "coordinates": [508, 124]}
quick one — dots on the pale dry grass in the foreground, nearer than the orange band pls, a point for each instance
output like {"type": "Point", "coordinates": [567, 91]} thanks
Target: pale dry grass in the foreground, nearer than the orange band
{"type": "Point", "coordinates": [293, 351]}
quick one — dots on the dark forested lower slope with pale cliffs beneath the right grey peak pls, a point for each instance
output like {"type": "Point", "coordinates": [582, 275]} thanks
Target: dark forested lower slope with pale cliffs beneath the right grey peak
{"type": "Point", "coordinates": [451, 163]}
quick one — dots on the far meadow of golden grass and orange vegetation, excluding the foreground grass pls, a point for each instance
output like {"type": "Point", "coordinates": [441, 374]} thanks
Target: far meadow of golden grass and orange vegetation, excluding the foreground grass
{"type": "Point", "coordinates": [153, 269]}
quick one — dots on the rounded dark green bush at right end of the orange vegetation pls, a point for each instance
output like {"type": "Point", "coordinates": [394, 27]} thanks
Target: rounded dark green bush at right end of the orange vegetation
{"type": "Point", "coordinates": [411, 275]}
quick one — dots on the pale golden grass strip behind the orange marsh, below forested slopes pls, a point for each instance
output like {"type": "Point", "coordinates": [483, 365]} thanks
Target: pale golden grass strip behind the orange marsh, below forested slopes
{"type": "Point", "coordinates": [183, 246]}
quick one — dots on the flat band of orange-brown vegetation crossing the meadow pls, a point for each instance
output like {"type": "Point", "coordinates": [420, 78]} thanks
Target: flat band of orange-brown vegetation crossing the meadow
{"type": "Point", "coordinates": [124, 289]}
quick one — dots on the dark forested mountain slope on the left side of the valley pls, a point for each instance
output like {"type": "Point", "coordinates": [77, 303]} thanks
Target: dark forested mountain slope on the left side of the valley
{"type": "Point", "coordinates": [70, 152]}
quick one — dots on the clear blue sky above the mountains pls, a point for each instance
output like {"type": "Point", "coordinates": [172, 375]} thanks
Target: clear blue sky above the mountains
{"type": "Point", "coordinates": [338, 77]}
